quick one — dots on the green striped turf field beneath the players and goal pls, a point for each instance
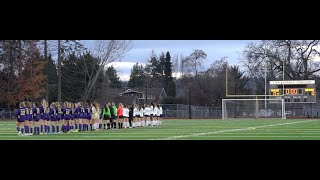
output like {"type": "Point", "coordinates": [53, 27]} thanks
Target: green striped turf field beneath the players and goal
{"type": "Point", "coordinates": [239, 129]}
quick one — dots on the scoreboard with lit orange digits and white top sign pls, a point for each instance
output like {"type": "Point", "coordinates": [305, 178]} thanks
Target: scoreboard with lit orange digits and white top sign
{"type": "Point", "coordinates": [297, 91]}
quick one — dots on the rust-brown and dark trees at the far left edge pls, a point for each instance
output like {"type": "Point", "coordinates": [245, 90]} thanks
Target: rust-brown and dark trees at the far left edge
{"type": "Point", "coordinates": [21, 71]}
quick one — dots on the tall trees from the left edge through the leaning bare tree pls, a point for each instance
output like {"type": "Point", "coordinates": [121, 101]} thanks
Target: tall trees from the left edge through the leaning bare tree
{"type": "Point", "coordinates": [28, 70]}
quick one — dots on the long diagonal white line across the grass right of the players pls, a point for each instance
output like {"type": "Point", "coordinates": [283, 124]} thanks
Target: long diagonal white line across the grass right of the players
{"type": "Point", "coordinates": [230, 130]}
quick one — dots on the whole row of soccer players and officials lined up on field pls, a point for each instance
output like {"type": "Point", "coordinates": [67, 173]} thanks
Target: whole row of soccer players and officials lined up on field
{"type": "Point", "coordinates": [78, 117]}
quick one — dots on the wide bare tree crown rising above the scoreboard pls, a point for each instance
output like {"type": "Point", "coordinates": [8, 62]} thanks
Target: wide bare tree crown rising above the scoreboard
{"type": "Point", "coordinates": [295, 56]}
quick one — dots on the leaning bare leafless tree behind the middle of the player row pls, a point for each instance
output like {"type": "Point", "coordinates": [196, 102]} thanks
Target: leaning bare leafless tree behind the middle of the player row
{"type": "Point", "coordinates": [106, 51]}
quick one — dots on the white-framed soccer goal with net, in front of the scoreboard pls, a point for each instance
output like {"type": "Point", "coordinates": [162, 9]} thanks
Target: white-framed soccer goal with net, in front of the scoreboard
{"type": "Point", "coordinates": [253, 108]}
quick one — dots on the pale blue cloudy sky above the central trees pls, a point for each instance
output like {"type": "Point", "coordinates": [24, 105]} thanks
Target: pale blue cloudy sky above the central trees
{"type": "Point", "coordinates": [141, 51]}
